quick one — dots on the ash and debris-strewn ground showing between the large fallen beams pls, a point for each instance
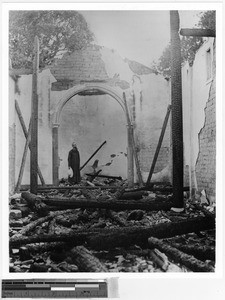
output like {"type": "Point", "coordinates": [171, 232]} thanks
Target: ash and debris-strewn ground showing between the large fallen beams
{"type": "Point", "coordinates": [60, 256]}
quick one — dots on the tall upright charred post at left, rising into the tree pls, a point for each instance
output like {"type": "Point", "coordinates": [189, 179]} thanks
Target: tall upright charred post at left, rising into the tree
{"type": "Point", "coordinates": [34, 122]}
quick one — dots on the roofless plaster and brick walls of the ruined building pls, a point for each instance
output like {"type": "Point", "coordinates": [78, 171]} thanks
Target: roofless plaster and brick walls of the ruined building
{"type": "Point", "coordinates": [81, 98]}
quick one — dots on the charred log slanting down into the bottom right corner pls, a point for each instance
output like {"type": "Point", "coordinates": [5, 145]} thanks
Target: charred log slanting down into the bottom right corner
{"type": "Point", "coordinates": [180, 257]}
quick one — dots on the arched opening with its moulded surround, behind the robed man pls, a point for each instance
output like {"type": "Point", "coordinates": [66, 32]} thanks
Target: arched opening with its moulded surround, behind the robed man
{"type": "Point", "coordinates": [88, 115]}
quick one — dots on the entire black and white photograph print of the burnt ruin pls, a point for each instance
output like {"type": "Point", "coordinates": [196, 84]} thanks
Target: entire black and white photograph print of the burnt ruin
{"type": "Point", "coordinates": [112, 141]}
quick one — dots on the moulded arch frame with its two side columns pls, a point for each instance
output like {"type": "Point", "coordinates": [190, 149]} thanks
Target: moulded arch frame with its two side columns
{"type": "Point", "coordinates": [102, 88]}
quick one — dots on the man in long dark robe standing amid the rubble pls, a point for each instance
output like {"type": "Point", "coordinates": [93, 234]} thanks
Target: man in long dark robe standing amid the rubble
{"type": "Point", "coordinates": [74, 164]}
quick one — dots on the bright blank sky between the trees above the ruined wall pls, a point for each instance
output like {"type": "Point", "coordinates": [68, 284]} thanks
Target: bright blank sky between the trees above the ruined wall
{"type": "Point", "coordinates": [137, 35]}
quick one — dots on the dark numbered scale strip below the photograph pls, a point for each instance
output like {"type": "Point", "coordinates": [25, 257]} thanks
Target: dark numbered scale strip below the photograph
{"type": "Point", "coordinates": [54, 288]}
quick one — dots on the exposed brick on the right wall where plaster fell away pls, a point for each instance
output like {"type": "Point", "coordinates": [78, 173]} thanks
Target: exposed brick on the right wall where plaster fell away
{"type": "Point", "coordinates": [206, 162]}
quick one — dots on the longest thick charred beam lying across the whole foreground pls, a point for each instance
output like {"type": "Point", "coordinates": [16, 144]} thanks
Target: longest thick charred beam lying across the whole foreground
{"type": "Point", "coordinates": [119, 237]}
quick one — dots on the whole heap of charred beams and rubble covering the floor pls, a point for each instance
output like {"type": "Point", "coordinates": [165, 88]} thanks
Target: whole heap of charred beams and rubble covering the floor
{"type": "Point", "coordinates": [101, 227]}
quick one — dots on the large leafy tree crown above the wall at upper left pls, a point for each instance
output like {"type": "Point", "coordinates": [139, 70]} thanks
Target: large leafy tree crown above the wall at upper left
{"type": "Point", "coordinates": [56, 30]}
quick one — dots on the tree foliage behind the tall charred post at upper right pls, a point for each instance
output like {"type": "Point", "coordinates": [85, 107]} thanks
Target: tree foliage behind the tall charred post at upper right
{"type": "Point", "coordinates": [189, 45]}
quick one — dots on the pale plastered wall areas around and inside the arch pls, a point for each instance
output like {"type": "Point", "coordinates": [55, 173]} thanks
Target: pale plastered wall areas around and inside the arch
{"type": "Point", "coordinates": [90, 120]}
